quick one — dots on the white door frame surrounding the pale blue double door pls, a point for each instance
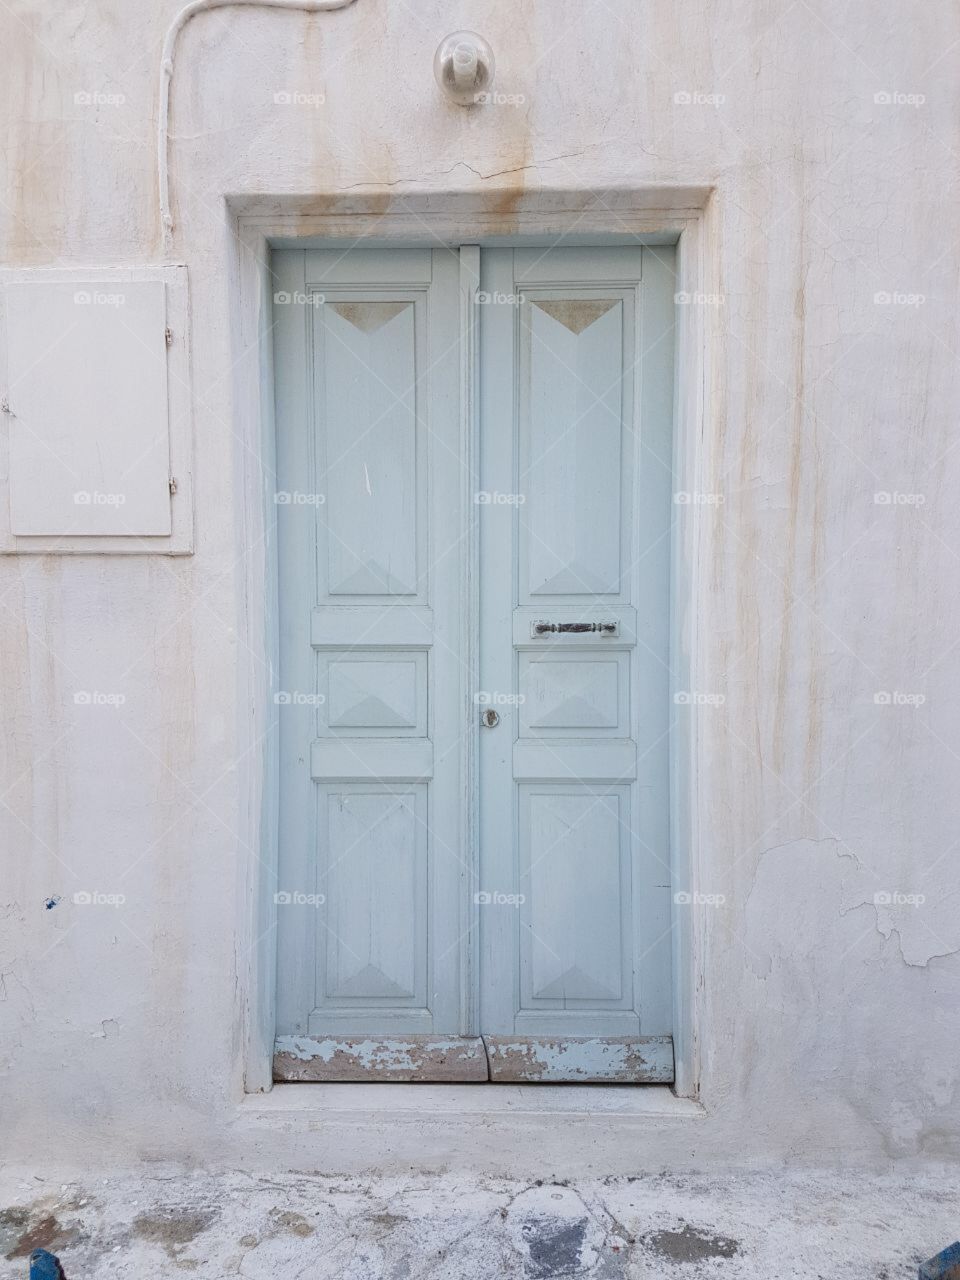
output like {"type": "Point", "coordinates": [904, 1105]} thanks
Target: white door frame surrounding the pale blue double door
{"type": "Point", "coordinates": [682, 217]}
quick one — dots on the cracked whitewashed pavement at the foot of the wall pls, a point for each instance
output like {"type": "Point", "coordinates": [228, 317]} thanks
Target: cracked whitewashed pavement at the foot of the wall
{"type": "Point", "coordinates": [817, 1224]}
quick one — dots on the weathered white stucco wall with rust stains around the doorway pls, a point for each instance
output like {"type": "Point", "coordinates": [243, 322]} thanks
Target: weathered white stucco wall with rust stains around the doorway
{"type": "Point", "coordinates": [828, 1023]}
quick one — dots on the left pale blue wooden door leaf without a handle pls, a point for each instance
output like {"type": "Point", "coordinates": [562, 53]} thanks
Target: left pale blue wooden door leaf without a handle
{"type": "Point", "coordinates": [373, 877]}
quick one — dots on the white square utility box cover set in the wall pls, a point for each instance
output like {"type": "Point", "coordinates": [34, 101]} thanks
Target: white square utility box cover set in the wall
{"type": "Point", "coordinates": [97, 412]}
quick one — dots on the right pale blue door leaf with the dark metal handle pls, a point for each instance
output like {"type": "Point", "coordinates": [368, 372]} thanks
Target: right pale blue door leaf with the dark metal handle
{"type": "Point", "coordinates": [575, 858]}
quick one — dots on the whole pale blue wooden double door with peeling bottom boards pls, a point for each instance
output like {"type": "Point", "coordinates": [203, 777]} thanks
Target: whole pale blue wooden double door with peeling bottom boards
{"type": "Point", "coordinates": [381, 903]}
